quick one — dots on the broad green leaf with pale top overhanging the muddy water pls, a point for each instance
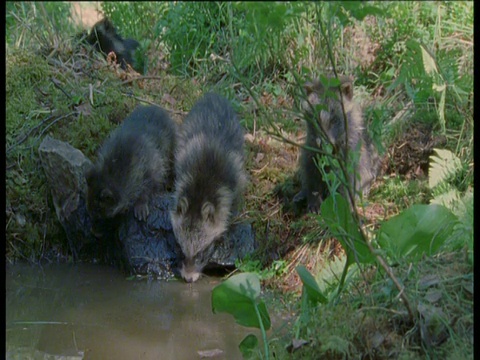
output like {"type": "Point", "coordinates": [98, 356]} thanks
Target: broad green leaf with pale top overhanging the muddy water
{"type": "Point", "coordinates": [238, 296]}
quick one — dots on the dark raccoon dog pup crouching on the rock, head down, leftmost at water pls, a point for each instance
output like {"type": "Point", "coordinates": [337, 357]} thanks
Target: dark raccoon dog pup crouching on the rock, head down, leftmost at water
{"type": "Point", "coordinates": [133, 164]}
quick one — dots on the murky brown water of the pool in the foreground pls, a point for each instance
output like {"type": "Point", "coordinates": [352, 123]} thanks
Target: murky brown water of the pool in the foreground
{"type": "Point", "coordinates": [94, 312]}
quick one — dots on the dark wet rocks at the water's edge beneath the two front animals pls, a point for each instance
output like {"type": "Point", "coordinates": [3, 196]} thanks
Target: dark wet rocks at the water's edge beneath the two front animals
{"type": "Point", "coordinates": [138, 247]}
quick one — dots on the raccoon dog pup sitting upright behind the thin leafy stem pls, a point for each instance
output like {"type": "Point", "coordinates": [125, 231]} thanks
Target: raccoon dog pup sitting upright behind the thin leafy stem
{"type": "Point", "coordinates": [330, 128]}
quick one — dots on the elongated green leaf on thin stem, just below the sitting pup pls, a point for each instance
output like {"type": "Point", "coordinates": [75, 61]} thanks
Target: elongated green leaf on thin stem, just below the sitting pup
{"type": "Point", "coordinates": [338, 217]}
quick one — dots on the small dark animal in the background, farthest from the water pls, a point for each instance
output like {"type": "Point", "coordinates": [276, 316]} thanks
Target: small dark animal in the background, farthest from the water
{"type": "Point", "coordinates": [105, 39]}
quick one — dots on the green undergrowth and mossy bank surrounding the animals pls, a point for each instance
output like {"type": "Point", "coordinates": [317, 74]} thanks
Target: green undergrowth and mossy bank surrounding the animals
{"type": "Point", "coordinates": [391, 279]}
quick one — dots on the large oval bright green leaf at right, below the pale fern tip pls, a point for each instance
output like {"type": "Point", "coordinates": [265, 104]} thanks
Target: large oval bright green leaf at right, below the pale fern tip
{"type": "Point", "coordinates": [419, 230]}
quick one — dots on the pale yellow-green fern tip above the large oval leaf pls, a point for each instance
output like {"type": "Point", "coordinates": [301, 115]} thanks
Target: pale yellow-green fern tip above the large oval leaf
{"type": "Point", "coordinates": [443, 164]}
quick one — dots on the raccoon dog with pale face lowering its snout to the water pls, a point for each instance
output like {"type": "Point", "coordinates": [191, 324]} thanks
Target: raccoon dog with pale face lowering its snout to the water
{"type": "Point", "coordinates": [210, 179]}
